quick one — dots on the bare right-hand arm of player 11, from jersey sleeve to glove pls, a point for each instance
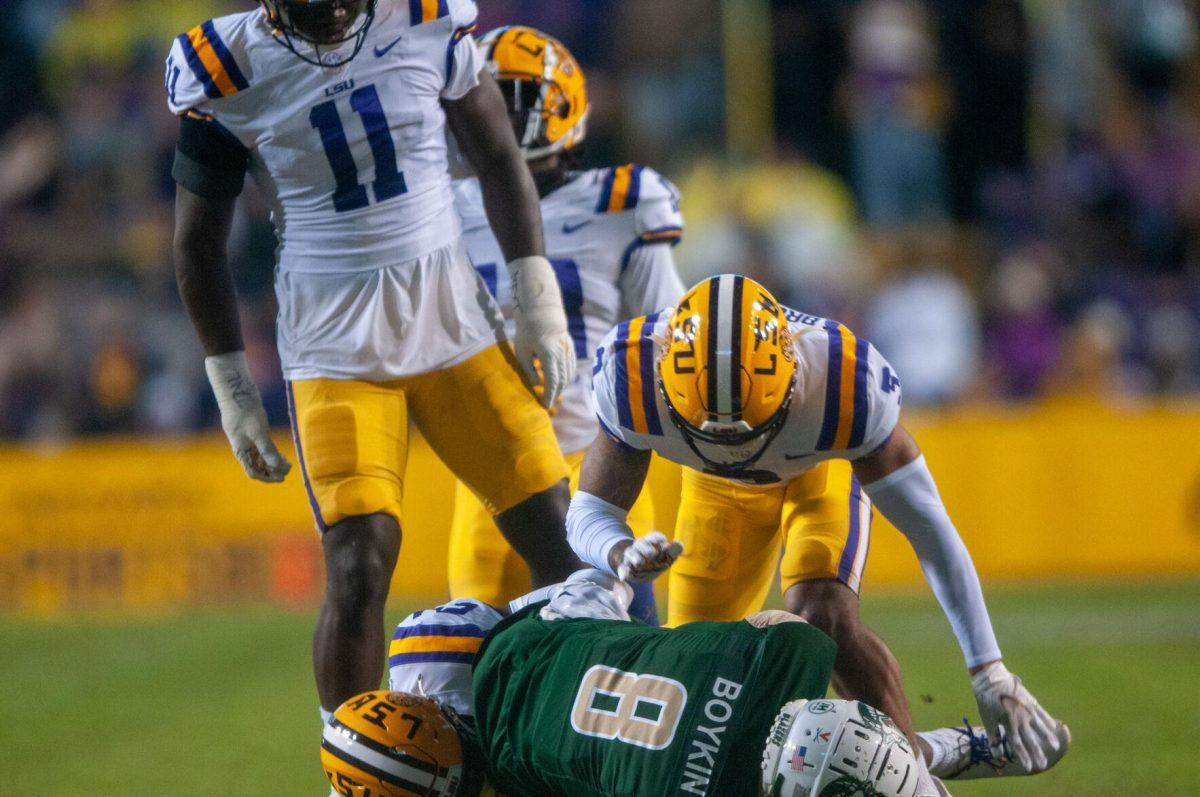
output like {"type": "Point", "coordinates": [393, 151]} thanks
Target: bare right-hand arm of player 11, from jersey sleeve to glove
{"type": "Point", "coordinates": [481, 124]}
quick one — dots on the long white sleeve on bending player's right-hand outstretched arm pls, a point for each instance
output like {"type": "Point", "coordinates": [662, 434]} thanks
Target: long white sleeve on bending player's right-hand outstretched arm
{"type": "Point", "coordinates": [909, 499]}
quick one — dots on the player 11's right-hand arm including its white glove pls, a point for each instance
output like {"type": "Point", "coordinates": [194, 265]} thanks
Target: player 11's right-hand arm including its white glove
{"type": "Point", "coordinates": [481, 124]}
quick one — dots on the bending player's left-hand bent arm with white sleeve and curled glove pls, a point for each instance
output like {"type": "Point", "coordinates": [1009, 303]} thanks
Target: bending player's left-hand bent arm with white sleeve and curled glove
{"type": "Point", "coordinates": [611, 478]}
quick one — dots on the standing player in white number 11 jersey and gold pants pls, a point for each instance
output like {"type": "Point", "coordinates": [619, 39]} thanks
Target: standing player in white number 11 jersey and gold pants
{"type": "Point", "coordinates": [339, 110]}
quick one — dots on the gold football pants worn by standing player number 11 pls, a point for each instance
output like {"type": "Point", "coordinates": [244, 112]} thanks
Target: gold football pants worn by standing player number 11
{"type": "Point", "coordinates": [478, 417]}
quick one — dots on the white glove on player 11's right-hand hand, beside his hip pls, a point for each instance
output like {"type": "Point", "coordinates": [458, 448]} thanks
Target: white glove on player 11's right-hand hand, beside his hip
{"type": "Point", "coordinates": [542, 327]}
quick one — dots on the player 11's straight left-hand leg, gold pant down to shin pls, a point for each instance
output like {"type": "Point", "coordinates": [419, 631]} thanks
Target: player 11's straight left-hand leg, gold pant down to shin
{"type": "Point", "coordinates": [352, 441]}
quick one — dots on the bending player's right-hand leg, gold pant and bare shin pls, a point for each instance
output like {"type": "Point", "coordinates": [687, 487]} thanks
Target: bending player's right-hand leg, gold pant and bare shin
{"type": "Point", "coordinates": [829, 522]}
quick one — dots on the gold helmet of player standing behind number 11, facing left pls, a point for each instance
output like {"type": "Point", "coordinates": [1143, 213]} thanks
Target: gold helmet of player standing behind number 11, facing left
{"type": "Point", "coordinates": [543, 87]}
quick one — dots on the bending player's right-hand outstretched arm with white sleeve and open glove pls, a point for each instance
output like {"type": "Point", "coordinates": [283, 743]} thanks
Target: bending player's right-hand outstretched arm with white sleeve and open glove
{"type": "Point", "coordinates": [899, 483]}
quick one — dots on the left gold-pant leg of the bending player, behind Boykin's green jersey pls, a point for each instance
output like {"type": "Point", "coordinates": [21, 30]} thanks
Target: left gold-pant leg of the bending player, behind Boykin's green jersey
{"type": "Point", "coordinates": [731, 543]}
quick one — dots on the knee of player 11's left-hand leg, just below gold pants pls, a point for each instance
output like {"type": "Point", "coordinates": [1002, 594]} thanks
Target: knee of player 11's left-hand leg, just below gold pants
{"type": "Point", "coordinates": [361, 555]}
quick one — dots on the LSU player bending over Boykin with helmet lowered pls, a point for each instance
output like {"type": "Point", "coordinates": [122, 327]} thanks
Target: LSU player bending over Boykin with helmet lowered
{"type": "Point", "coordinates": [759, 403]}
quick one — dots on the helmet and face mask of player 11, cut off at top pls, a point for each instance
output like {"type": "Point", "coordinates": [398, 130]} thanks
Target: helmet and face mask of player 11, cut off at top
{"type": "Point", "coordinates": [323, 26]}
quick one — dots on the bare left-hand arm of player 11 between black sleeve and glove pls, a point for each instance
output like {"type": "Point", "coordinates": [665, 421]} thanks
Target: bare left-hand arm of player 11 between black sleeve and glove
{"type": "Point", "coordinates": [202, 272]}
